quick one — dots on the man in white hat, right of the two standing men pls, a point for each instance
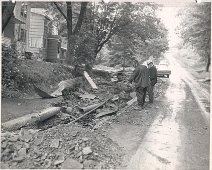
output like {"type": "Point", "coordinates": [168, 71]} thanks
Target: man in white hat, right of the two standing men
{"type": "Point", "coordinates": [153, 79]}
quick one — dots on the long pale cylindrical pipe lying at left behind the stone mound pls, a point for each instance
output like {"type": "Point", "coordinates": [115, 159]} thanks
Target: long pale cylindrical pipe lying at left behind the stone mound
{"type": "Point", "coordinates": [30, 119]}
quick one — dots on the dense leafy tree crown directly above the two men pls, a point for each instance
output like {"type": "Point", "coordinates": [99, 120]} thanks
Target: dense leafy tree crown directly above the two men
{"type": "Point", "coordinates": [144, 36]}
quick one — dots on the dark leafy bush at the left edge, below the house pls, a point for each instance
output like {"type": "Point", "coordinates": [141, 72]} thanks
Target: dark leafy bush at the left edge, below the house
{"type": "Point", "coordinates": [9, 66]}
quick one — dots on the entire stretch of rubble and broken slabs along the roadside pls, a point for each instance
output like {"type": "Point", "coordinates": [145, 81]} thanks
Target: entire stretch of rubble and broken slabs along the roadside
{"type": "Point", "coordinates": [74, 138]}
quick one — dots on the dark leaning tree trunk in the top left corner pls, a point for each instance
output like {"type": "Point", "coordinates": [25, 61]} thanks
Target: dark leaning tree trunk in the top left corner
{"type": "Point", "coordinates": [7, 13]}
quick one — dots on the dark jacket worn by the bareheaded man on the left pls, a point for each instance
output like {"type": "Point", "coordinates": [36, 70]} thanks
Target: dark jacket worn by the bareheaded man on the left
{"type": "Point", "coordinates": [140, 76]}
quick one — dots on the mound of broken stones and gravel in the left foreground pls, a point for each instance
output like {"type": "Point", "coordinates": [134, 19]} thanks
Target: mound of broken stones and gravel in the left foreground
{"type": "Point", "coordinates": [63, 146]}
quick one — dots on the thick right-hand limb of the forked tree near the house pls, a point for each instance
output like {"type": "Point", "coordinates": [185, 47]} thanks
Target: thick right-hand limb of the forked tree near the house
{"type": "Point", "coordinates": [81, 16]}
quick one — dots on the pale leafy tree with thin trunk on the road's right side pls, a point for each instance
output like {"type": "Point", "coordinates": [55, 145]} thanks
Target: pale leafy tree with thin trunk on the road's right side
{"type": "Point", "coordinates": [195, 29]}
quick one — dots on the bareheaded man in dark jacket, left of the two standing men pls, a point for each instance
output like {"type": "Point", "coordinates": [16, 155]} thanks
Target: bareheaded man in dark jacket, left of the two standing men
{"type": "Point", "coordinates": [140, 77]}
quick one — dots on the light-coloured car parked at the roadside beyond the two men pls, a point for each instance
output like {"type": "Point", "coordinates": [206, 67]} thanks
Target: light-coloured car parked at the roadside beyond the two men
{"type": "Point", "coordinates": [163, 69]}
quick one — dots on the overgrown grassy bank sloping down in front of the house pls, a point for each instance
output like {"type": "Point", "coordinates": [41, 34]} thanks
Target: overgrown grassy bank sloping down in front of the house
{"type": "Point", "coordinates": [44, 74]}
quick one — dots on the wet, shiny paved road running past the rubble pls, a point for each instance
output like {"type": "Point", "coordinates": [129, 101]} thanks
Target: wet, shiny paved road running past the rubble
{"type": "Point", "coordinates": [179, 136]}
